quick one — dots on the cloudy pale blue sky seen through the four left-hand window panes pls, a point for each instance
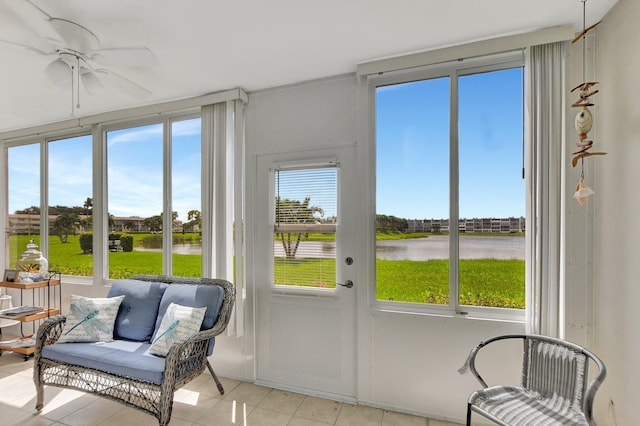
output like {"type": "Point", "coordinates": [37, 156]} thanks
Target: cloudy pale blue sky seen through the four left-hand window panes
{"type": "Point", "coordinates": [134, 168]}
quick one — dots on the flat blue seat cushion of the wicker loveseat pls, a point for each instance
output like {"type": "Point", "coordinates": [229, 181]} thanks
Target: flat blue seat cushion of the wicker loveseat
{"type": "Point", "coordinates": [120, 357]}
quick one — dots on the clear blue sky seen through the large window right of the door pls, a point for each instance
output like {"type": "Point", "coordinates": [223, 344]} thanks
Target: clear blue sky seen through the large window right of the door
{"type": "Point", "coordinates": [412, 128]}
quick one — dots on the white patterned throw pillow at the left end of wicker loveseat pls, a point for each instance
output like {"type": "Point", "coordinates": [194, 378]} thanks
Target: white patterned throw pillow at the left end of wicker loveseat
{"type": "Point", "coordinates": [91, 319]}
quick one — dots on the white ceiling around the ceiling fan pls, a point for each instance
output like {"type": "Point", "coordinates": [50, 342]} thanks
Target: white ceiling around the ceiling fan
{"type": "Point", "coordinates": [204, 46]}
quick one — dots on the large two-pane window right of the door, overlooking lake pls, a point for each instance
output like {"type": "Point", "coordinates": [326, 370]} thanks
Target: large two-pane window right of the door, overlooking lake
{"type": "Point", "coordinates": [450, 193]}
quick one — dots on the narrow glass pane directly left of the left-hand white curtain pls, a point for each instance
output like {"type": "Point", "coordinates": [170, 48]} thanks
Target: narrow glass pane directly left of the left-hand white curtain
{"type": "Point", "coordinates": [186, 184]}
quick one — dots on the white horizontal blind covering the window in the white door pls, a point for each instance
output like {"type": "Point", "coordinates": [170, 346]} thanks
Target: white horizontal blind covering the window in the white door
{"type": "Point", "coordinates": [305, 218]}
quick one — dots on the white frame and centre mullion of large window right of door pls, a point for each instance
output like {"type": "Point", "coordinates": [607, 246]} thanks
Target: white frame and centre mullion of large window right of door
{"type": "Point", "coordinates": [453, 70]}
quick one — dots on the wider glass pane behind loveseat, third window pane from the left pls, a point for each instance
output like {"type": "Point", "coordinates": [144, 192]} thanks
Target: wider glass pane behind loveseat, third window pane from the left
{"type": "Point", "coordinates": [135, 200]}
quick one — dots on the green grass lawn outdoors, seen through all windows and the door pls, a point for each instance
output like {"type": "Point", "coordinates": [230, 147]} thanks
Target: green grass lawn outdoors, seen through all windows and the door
{"type": "Point", "coordinates": [483, 282]}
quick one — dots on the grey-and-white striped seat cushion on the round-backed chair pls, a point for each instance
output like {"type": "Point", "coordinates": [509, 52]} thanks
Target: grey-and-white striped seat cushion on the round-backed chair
{"type": "Point", "coordinates": [519, 406]}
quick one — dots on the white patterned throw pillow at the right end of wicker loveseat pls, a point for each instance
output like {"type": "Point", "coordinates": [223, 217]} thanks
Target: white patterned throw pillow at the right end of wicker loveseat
{"type": "Point", "coordinates": [178, 322]}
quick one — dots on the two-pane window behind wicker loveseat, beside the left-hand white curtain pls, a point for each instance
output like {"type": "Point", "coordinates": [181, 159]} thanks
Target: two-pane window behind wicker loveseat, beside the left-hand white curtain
{"type": "Point", "coordinates": [139, 220]}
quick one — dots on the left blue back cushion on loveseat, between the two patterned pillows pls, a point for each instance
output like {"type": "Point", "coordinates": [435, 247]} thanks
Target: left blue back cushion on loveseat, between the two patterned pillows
{"type": "Point", "coordinates": [136, 319]}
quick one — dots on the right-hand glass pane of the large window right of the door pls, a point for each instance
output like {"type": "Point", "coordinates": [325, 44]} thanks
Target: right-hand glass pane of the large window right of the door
{"type": "Point", "coordinates": [492, 191]}
